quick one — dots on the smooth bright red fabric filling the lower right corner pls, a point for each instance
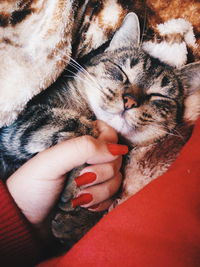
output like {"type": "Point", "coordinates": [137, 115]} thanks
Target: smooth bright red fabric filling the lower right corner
{"type": "Point", "coordinates": [159, 226]}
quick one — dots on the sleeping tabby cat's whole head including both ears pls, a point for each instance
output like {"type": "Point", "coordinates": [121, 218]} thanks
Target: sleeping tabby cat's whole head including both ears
{"type": "Point", "coordinates": [142, 98]}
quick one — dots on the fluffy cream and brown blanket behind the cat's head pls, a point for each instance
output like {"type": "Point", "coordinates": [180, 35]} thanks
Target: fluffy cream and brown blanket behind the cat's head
{"type": "Point", "coordinates": [38, 36]}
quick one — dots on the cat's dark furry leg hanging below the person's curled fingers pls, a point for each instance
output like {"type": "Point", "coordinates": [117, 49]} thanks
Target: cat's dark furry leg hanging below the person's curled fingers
{"type": "Point", "coordinates": [71, 224]}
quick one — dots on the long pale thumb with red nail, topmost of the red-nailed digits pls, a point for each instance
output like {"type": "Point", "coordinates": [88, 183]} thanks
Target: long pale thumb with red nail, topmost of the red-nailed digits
{"type": "Point", "coordinates": [69, 154]}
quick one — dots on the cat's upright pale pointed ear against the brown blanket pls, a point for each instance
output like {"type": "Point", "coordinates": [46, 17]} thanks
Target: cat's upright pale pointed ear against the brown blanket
{"type": "Point", "coordinates": [128, 34]}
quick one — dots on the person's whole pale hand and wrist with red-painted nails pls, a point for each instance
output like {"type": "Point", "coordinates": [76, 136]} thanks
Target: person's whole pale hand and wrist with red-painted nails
{"type": "Point", "coordinates": [37, 185]}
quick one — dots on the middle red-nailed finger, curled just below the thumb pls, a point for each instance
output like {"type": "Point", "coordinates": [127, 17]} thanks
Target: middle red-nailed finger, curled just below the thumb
{"type": "Point", "coordinates": [95, 174]}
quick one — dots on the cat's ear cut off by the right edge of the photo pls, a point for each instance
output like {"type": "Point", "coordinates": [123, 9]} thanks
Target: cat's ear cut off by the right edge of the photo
{"type": "Point", "coordinates": [190, 77]}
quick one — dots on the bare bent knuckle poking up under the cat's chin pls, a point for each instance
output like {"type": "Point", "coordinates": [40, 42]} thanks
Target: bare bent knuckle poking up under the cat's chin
{"type": "Point", "coordinates": [107, 133]}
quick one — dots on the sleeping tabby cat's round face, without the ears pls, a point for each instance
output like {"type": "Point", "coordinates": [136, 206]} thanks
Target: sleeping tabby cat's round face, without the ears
{"type": "Point", "coordinates": [136, 95]}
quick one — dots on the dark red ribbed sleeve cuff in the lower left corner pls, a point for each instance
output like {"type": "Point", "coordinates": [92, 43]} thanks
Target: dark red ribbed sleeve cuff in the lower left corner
{"type": "Point", "coordinates": [17, 244]}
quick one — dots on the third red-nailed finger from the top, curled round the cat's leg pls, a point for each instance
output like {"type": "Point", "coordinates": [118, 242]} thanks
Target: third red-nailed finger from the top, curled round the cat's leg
{"type": "Point", "coordinates": [98, 193]}
